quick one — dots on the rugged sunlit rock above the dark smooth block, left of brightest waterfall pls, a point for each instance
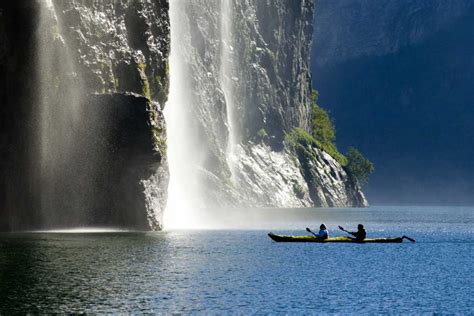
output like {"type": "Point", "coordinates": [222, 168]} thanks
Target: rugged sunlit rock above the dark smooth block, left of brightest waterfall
{"type": "Point", "coordinates": [118, 45]}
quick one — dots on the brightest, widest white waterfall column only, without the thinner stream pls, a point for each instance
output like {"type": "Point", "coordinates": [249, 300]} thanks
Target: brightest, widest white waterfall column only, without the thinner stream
{"type": "Point", "coordinates": [183, 152]}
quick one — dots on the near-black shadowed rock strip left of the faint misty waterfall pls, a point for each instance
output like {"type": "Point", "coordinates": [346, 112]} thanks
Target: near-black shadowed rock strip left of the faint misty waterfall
{"type": "Point", "coordinates": [17, 78]}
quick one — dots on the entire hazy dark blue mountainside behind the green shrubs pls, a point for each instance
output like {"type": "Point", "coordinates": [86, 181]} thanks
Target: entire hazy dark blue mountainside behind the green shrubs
{"type": "Point", "coordinates": [397, 78]}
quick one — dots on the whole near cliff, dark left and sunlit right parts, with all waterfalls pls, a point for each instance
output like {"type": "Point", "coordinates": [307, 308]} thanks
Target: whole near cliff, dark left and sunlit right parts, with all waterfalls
{"type": "Point", "coordinates": [89, 80]}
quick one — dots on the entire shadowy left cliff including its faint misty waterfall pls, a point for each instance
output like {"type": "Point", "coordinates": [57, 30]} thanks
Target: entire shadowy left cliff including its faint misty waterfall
{"type": "Point", "coordinates": [73, 63]}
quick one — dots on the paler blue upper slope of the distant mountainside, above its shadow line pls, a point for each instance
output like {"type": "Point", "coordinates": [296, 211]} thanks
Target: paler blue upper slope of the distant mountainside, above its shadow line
{"type": "Point", "coordinates": [344, 29]}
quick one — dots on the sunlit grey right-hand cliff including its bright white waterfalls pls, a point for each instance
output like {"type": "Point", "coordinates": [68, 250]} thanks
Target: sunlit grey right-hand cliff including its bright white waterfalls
{"type": "Point", "coordinates": [243, 69]}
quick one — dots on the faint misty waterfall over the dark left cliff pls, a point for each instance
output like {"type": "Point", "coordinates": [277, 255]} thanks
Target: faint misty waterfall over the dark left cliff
{"type": "Point", "coordinates": [64, 175]}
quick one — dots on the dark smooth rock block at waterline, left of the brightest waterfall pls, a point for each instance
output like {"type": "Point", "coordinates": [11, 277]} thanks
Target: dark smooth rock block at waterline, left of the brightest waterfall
{"type": "Point", "coordinates": [135, 169]}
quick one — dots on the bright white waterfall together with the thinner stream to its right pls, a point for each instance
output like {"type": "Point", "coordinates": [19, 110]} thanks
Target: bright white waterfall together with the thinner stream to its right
{"type": "Point", "coordinates": [194, 145]}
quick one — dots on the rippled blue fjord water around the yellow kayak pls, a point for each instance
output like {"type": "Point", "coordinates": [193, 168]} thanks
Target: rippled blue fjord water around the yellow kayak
{"type": "Point", "coordinates": [221, 271]}
